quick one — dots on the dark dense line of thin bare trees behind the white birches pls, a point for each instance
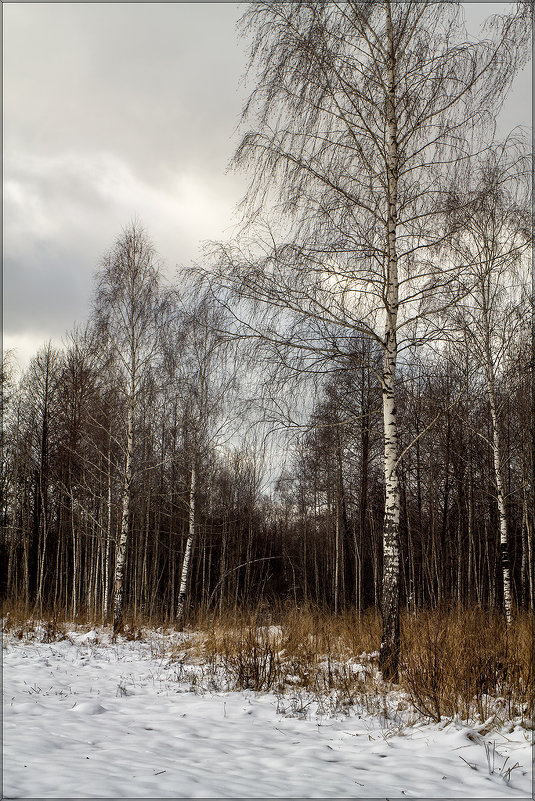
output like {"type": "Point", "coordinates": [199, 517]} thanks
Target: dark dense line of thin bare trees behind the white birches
{"type": "Point", "coordinates": [317, 539]}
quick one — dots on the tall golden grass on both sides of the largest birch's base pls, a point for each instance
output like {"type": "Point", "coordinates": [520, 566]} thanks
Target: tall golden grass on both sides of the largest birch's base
{"type": "Point", "coordinates": [454, 662]}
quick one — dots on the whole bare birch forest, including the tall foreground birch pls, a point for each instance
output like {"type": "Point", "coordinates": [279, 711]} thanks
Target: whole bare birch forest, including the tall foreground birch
{"type": "Point", "coordinates": [335, 410]}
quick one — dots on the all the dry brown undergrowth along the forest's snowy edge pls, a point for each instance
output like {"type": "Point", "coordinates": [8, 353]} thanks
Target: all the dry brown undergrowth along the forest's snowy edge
{"type": "Point", "coordinates": [455, 663]}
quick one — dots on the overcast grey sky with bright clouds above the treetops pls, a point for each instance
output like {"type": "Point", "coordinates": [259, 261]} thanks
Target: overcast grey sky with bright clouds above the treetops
{"type": "Point", "coordinates": [114, 111]}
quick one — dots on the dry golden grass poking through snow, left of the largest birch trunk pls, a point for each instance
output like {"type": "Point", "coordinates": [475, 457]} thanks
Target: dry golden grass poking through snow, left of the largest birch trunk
{"type": "Point", "coordinates": [301, 655]}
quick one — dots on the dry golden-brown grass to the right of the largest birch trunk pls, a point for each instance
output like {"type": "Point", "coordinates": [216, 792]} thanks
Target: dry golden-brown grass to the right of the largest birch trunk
{"type": "Point", "coordinates": [467, 663]}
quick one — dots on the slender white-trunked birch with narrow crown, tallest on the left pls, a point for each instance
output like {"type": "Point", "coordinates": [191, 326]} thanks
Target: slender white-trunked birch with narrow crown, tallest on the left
{"type": "Point", "coordinates": [128, 314]}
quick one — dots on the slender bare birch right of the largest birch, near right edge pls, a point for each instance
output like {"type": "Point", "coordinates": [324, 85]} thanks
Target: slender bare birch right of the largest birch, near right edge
{"type": "Point", "coordinates": [490, 229]}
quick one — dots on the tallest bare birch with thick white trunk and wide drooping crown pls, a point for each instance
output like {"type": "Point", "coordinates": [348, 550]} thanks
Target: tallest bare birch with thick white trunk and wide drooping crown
{"type": "Point", "coordinates": [358, 113]}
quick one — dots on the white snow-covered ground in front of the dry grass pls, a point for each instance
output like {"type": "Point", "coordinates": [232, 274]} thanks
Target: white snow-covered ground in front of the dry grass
{"type": "Point", "coordinates": [87, 718]}
